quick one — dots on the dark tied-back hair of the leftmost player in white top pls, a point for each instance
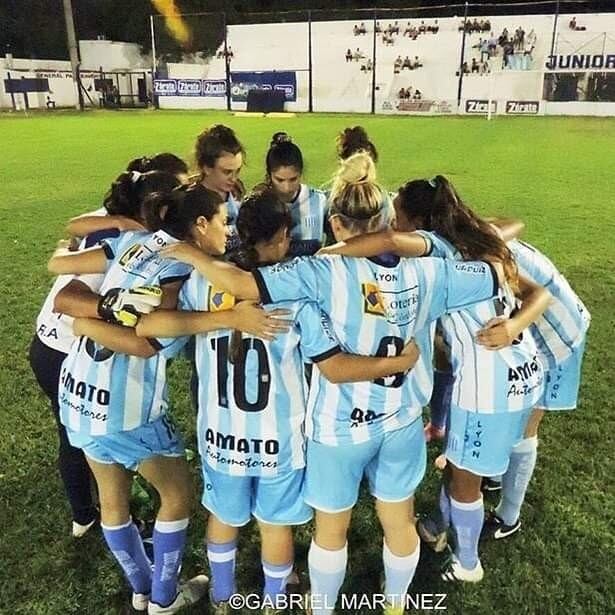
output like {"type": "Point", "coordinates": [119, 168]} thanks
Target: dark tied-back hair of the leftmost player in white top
{"type": "Point", "coordinates": [127, 193]}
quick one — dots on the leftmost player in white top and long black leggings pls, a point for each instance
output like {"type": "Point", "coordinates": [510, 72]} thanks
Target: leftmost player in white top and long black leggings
{"type": "Point", "coordinates": [54, 335]}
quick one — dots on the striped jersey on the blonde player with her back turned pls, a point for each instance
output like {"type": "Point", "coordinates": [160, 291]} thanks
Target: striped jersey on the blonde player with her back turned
{"type": "Point", "coordinates": [375, 306]}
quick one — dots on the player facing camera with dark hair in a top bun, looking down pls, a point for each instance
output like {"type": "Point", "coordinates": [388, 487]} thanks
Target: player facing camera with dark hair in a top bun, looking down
{"type": "Point", "coordinates": [308, 206]}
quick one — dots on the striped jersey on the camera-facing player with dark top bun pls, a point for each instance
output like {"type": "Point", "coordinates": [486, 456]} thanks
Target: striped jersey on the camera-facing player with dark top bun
{"type": "Point", "coordinates": [308, 212]}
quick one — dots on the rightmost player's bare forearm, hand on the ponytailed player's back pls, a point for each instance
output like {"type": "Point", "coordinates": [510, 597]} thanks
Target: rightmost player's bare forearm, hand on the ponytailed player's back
{"type": "Point", "coordinates": [499, 333]}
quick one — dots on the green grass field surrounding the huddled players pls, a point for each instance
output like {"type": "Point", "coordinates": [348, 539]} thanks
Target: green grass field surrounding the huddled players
{"type": "Point", "coordinates": [554, 173]}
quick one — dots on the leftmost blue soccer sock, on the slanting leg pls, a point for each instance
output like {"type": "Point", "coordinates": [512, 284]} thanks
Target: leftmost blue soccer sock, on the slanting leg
{"type": "Point", "coordinates": [127, 547]}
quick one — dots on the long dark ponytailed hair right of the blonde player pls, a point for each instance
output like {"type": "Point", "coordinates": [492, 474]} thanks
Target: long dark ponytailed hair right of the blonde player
{"type": "Point", "coordinates": [441, 209]}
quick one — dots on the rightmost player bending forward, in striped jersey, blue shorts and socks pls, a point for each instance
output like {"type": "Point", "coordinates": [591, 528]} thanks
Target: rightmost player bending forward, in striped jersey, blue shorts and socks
{"type": "Point", "coordinates": [560, 338]}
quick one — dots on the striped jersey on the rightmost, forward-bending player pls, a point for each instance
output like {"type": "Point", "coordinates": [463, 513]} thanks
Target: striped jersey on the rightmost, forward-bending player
{"type": "Point", "coordinates": [563, 325]}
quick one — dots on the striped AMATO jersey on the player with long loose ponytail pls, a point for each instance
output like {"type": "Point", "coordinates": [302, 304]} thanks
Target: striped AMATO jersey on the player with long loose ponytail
{"type": "Point", "coordinates": [488, 381]}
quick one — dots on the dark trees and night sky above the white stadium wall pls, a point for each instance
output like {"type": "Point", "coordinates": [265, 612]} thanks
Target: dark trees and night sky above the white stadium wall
{"type": "Point", "coordinates": [35, 28]}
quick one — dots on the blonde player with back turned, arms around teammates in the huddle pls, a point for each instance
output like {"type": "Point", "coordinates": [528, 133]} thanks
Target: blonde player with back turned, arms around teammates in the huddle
{"type": "Point", "coordinates": [374, 428]}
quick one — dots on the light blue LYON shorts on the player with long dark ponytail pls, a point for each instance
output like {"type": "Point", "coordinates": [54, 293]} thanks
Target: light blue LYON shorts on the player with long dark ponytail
{"type": "Point", "coordinates": [482, 443]}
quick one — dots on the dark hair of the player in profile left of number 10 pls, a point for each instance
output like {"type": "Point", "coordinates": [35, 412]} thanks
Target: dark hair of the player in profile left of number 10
{"type": "Point", "coordinates": [176, 212]}
